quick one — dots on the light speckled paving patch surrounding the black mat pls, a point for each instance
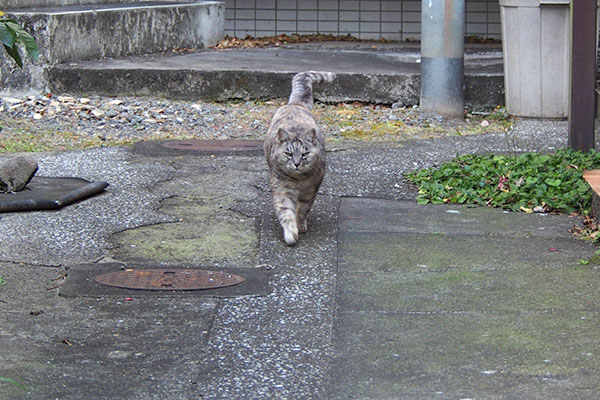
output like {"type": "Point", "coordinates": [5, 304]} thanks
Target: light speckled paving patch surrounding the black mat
{"type": "Point", "coordinates": [79, 233]}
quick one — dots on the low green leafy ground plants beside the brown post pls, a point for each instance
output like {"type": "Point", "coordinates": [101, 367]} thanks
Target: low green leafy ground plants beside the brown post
{"type": "Point", "coordinates": [551, 181]}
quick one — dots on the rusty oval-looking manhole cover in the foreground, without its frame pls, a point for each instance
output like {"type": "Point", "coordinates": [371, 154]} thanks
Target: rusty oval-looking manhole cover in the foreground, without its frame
{"type": "Point", "coordinates": [168, 279]}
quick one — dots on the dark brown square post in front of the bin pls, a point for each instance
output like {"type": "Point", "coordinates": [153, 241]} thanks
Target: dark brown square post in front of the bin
{"type": "Point", "coordinates": [583, 75]}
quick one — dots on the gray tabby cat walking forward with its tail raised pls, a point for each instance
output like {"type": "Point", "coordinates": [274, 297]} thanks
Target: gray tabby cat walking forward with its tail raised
{"type": "Point", "coordinates": [295, 152]}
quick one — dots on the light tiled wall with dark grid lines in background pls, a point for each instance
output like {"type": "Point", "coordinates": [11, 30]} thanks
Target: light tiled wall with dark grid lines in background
{"type": "Point", "coordinates": [365, 19]}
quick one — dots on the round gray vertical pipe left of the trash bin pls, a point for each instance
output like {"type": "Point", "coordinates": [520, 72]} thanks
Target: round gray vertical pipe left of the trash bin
{"type": "Point", "coordinates": [442, 57]}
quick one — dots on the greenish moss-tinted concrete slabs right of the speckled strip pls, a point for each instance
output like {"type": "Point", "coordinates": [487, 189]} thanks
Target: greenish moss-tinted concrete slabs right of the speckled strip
{"type": "Point", "coordinates": [473, 303]}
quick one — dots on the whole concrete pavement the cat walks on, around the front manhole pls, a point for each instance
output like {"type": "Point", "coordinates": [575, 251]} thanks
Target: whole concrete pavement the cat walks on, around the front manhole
{"type": "Point", "coordinates": [382, 299]}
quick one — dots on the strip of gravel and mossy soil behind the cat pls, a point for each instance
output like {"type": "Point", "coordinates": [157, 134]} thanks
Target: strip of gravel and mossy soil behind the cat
{"type": "Point", "coordinates": [63, 122]}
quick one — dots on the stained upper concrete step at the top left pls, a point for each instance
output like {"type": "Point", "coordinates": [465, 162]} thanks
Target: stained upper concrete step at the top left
{"type": "Point", "coordinates": [69, 33]}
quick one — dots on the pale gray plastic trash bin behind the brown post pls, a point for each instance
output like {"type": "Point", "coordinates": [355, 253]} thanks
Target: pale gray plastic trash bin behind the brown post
{"type": "Point", "coordinates": [536, 47]}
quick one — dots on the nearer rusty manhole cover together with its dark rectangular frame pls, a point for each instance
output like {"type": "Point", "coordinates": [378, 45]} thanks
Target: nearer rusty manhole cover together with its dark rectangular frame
{"type": "Point", "coordinates": [122, 279]}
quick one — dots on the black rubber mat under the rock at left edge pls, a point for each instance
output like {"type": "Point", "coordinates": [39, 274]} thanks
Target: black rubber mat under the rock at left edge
{"type": "Point", "coordinates": [44, 193]}
